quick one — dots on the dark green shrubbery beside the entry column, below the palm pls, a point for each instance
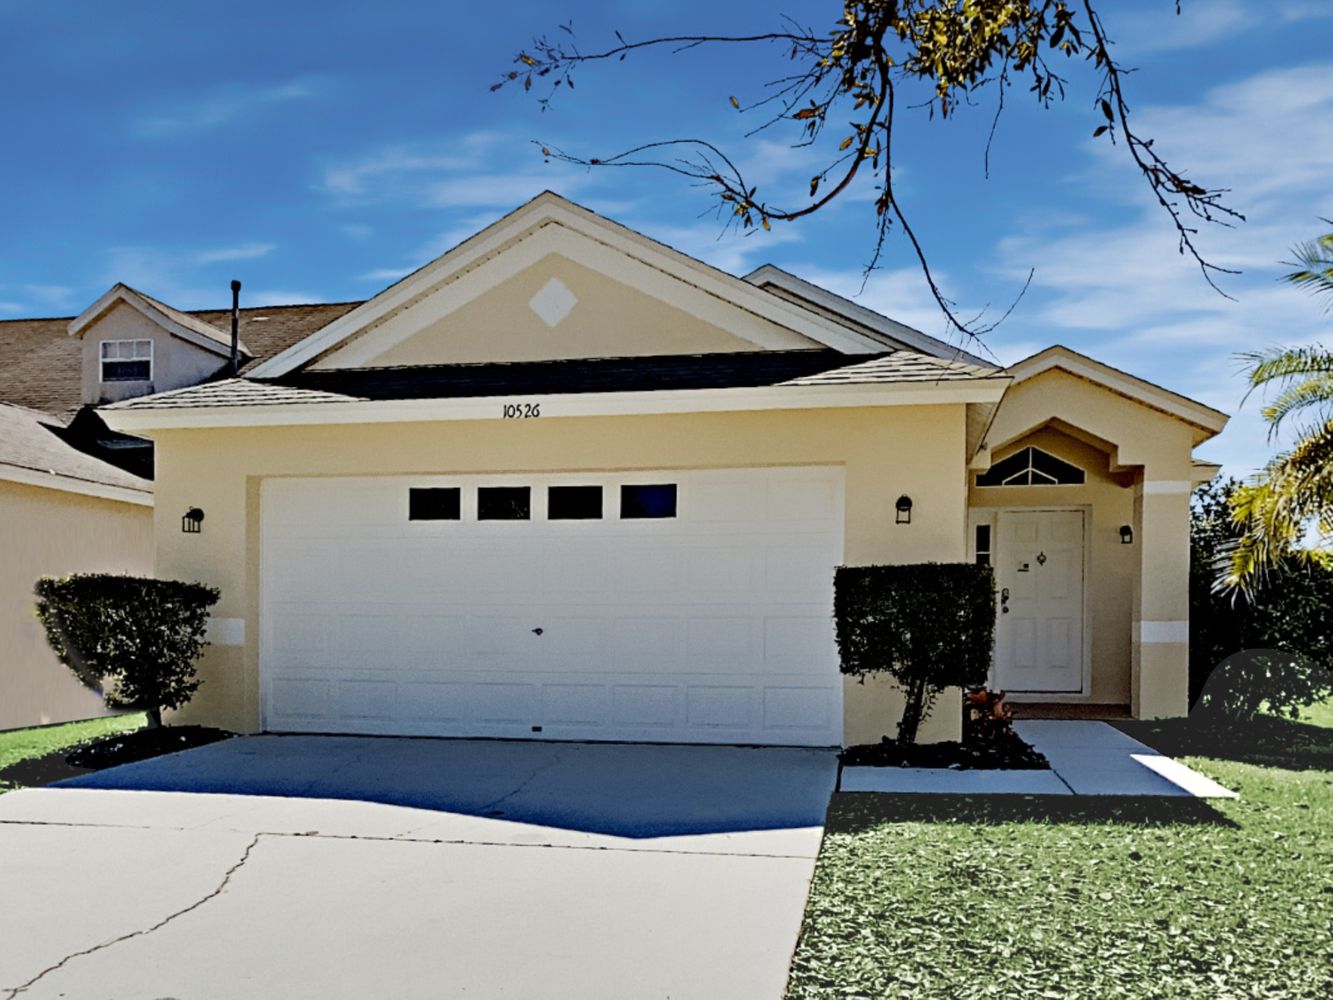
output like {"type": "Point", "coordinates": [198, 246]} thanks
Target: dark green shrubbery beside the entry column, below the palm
{"type": "Point", "coordinates": [1270, 650]}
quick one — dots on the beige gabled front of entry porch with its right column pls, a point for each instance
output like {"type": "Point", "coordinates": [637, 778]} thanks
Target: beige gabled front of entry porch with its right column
{"type": "Point", "coordinates": [1151, 451]}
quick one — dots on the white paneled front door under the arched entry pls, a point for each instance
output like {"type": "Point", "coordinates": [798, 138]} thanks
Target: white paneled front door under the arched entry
{"type": "Point", "coordinates": [1039, 565]}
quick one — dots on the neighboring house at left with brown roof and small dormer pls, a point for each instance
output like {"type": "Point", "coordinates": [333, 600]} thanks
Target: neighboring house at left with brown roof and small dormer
{"type": "Point", "coordinates": [77, 497]}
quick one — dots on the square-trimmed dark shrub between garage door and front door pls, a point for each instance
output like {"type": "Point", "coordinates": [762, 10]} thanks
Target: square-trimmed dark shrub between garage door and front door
{"type": "Point", "coordinates": [930, 626]}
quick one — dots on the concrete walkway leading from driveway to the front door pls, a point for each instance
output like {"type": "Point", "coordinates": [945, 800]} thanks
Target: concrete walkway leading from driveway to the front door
{"type": "Point", "coordinates": [1087, 758]}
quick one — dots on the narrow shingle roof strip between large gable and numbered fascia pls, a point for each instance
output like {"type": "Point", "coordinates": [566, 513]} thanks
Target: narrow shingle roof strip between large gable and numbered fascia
{"type": "Point", "coordinates": [740, 370]}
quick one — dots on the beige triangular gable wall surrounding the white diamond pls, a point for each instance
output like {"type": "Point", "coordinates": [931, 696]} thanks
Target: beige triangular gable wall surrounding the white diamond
{"type": "Point", "coordinates": [610, 319]}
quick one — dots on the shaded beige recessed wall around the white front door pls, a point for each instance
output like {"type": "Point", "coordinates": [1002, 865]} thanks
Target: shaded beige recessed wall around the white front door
{"type": "Point", "coordinates": [1110, 571]}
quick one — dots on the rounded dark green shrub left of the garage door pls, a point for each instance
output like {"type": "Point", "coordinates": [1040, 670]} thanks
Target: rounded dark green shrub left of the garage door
{"type": "Point", "coordinates": [131, 639]}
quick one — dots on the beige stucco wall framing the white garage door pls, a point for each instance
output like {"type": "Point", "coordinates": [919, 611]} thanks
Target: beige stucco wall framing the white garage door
{"type": "Point", "coordinates": [886, 453]}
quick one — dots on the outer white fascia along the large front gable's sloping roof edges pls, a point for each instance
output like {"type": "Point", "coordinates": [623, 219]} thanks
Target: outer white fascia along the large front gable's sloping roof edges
{"type": "Point", "coordinates": [553, 210]}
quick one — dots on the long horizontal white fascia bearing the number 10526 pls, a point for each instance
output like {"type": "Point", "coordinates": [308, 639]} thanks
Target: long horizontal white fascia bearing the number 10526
{"type": "Point", "coordinates": [562, 406]}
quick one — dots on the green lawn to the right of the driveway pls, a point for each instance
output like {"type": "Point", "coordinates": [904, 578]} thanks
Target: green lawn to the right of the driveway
{"type": "Point", "coordinates": [958, 897]}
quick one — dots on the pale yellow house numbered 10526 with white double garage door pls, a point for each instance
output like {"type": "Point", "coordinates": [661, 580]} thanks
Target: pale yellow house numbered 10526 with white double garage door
{"type": "Point", "coordinates": [569, 483]}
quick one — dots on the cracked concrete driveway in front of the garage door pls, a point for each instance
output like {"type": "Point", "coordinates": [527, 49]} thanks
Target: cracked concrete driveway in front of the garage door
{"type": "Point", "coordinates": [339, 867]}
